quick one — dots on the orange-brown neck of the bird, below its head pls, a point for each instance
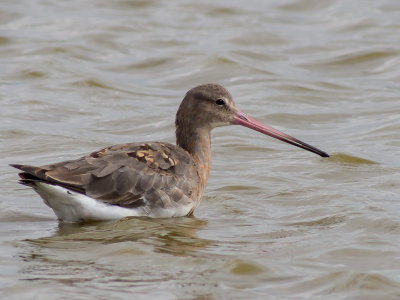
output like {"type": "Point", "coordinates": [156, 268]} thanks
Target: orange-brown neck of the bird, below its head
{"type": "Point", "coordinates": [196, 141]}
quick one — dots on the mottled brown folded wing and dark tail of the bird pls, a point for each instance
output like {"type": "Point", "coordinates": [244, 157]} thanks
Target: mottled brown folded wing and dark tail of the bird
{"type": "Point", "coordinates": [128, 175]}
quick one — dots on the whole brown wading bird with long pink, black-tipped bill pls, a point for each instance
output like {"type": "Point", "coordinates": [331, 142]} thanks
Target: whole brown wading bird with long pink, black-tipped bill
{"type": "Point", "coordinates": [146, 179]}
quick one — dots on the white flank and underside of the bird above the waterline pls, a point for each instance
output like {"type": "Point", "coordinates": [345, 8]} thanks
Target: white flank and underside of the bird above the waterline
{"type": "Point", "coordinates": [70, 206]}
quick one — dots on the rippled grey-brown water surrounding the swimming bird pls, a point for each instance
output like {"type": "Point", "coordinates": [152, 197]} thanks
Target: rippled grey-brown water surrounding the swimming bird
{"type": "Point", "coordinates": [276, 222]}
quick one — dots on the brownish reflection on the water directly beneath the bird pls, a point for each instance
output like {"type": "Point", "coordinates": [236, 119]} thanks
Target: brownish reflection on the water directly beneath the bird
{"type": "Point", "coordinates": [176, 236]}
